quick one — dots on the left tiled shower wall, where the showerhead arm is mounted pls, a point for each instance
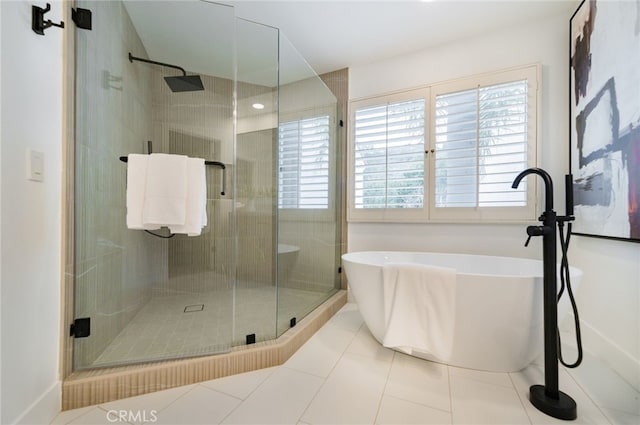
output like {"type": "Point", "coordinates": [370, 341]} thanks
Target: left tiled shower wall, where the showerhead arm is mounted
{"type": "Point", "coordinates": [115, 268]}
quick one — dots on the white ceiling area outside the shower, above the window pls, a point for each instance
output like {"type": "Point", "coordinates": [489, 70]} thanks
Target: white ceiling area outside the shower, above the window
{"type": "Point", "coordinates": [333, 35]}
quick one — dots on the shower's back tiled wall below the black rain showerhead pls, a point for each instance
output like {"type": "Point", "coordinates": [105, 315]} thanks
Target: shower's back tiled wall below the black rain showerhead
{"type": "Point", "coordinates": [199, 124]}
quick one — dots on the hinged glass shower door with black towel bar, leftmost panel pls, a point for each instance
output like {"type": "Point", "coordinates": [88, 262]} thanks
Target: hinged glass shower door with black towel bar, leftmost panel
{"type": "Point", "coordinates": [148, 297]}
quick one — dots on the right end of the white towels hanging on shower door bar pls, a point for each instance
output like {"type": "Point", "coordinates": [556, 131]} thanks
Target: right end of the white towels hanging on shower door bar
{"type": "Point", "coordinates": [196, 202]}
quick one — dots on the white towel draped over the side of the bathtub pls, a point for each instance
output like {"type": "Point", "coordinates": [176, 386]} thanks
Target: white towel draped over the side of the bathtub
{"type": "Point", "coordinates": [419, 308]}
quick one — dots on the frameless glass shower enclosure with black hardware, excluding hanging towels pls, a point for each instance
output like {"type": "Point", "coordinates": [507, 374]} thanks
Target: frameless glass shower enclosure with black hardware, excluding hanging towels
{"type": "Point", "coordinates": [266, 123]}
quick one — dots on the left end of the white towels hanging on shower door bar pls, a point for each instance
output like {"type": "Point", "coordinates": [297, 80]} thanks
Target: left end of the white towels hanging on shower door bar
{"type": "Point", "coordinates": [136, 185]}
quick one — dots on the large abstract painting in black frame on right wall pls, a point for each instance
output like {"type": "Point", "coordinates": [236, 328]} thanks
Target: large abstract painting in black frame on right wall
{"type": "Point", "coordinates": [605, 118]}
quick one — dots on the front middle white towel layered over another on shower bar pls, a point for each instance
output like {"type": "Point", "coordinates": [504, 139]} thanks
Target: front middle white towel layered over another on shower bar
{"type": "Point", "coordinates": [165, 197]}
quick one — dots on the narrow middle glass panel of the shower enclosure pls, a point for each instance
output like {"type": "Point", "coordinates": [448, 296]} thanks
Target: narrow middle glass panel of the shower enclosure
{"type": "Point", "coordinates": [256, 187]}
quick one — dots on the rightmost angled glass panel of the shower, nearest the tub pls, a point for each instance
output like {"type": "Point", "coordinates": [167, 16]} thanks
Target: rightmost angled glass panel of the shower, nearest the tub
{"type": "Point", "coordinates": [309, 223]}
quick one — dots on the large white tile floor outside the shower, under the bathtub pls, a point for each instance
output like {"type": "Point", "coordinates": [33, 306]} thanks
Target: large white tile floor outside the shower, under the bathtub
{"type": "Point", "coordinates": [343, 376]}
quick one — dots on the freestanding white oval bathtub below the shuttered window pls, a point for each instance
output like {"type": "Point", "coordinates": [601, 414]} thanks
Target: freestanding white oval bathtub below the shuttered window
{"type": "Point", "coordinates": [498, 305]}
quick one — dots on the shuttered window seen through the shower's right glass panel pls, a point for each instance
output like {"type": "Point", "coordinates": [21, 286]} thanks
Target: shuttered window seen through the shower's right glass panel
{"type": "Point", "coordinates": [303, 149]}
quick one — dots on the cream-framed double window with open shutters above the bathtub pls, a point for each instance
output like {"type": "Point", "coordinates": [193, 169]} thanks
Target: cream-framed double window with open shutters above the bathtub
{"type": "Point", "coordinates": [447, 152]}
